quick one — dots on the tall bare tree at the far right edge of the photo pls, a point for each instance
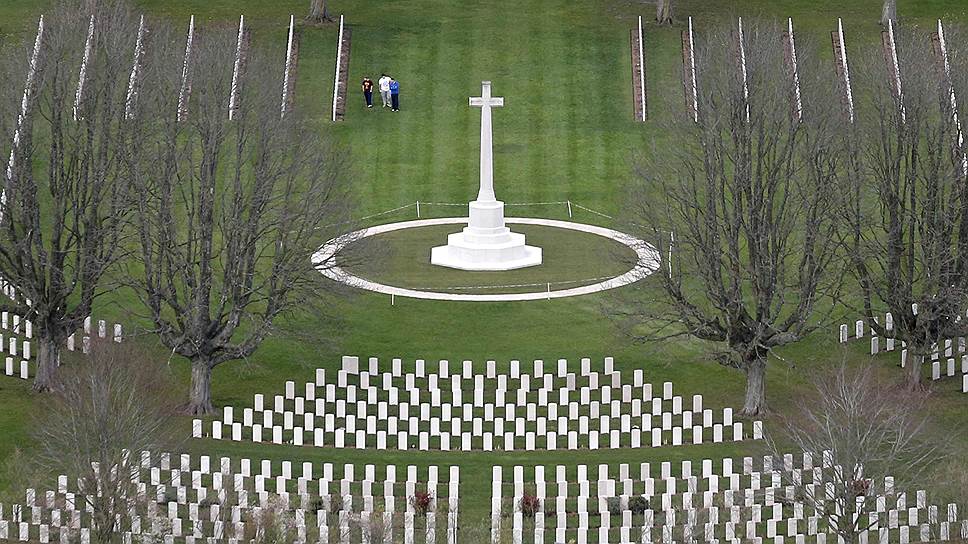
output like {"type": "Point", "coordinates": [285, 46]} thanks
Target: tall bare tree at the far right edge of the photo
{"type": "Point", "coordinates": [908, 202]}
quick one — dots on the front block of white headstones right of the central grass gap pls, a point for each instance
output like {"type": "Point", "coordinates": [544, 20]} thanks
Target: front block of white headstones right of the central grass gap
{"type": "Point", "coordinates": [738, 504]}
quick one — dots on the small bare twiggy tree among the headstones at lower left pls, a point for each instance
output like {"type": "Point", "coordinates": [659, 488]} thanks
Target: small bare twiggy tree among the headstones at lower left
{"type": "Point", "coordinates": [107, 408]}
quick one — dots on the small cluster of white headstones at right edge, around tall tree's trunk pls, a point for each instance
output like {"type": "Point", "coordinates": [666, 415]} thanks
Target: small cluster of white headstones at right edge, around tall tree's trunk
{"type": "Point", "coordinates": [954, 351]}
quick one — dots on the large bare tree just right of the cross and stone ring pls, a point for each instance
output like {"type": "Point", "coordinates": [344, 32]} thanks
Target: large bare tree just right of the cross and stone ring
{"type": "Point", "coordinates": [743, 211]}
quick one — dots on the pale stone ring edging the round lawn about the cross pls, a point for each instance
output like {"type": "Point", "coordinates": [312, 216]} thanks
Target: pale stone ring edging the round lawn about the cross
{"type": "Point", "coordinates": [647, 263]}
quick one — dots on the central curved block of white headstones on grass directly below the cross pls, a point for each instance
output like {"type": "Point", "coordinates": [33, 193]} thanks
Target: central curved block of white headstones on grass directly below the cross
{"type": "Point", "coordinates": [543, 407]}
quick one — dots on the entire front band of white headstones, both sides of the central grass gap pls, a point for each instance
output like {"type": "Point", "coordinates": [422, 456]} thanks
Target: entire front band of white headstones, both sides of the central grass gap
{"type": "Point", "coordinates": [191, 498]}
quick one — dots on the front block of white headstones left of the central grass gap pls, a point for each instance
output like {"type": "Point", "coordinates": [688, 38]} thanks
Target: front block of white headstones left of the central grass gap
{"type": "Point", "coordinates": [193, 499]}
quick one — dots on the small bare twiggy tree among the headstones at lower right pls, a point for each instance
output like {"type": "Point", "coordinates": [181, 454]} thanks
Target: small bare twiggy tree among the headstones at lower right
{"type": "Point", "coordinates": [867, 439]}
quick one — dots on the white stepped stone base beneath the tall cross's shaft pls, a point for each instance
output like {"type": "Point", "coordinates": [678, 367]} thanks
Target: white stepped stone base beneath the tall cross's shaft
{"type": "Point", "coordinates": [486, 244]}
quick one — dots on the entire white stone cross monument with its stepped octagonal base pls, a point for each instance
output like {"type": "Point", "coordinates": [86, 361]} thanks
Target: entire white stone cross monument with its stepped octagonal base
{"type": "Point", "coordinates": [486, 243]}
